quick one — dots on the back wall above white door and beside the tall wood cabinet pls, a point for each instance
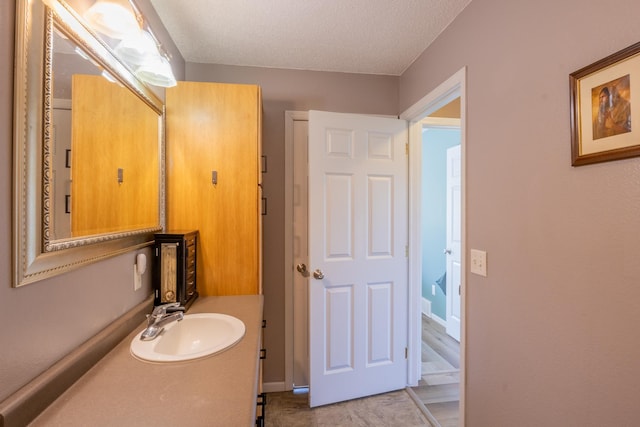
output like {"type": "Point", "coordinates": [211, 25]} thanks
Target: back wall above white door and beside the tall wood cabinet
{"type": "Point", "coordinates": [284, 90]}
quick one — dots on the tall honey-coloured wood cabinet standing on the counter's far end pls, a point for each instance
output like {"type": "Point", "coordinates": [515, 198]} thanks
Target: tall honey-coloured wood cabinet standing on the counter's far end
{"type": "Point", "coordinates": [213, 167]}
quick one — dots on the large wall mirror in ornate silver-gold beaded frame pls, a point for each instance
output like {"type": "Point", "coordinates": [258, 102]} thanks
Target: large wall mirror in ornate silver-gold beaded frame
{"type": "Point", "coordinates": [88, 147]}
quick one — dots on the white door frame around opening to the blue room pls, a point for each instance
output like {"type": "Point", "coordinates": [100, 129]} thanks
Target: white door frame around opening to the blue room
{"type": "Point", "coordinates": [453, 87]}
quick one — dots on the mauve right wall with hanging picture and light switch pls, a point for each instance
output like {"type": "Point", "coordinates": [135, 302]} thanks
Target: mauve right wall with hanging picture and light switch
{"type": "Point", "coordinates": [552, 330]}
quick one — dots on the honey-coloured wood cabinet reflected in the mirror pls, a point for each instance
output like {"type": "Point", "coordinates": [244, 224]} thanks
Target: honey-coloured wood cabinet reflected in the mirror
{"type": "Point", "coordinates": [112, 129]}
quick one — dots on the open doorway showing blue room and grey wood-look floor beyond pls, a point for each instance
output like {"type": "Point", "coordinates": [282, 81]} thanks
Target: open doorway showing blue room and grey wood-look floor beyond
{"type": "Point", "coordinates": [439, 386]}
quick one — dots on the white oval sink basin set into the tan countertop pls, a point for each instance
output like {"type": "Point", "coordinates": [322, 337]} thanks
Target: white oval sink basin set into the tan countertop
{"type": "Point", "coordinates": [195, 336]}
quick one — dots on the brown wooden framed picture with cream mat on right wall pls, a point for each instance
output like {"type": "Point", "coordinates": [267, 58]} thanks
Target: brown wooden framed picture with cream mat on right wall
{"type": "Point", "coordinates": [605, 109]}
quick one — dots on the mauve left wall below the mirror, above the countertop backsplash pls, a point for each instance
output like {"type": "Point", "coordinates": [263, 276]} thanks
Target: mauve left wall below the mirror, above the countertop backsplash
{"type": "Point", "coordinates": [44, 321]}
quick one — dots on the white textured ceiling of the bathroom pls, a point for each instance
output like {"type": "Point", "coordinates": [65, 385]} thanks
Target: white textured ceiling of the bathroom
{"type": "Point", "coordinates": [355, 36]}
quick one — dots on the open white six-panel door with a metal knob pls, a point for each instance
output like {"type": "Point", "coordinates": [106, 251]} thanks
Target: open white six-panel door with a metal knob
{"type": "Point", "coordinates": [357, 256]}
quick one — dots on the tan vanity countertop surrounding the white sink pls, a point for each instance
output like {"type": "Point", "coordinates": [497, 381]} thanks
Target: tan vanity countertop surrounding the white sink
{"type": "Point", "coordinates": [219, 390]}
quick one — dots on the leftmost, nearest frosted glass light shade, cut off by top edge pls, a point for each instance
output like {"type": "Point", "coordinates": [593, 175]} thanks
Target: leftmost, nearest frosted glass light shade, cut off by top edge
{"type": "Point", "coordinates": [113, 18]}
